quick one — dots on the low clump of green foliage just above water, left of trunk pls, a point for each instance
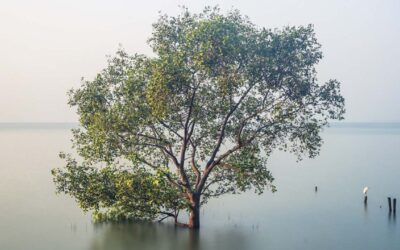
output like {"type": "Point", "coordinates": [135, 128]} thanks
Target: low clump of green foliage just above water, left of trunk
{"type": "Point", "coordinates": [115, 193]}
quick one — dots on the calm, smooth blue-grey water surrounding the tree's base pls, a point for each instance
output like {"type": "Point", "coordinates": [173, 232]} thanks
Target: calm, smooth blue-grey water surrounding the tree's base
{"type": "Point", "coordinates": [295, 217]}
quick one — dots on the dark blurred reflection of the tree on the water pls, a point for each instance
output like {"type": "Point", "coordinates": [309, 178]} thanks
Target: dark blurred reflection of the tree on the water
{"type": "Point", "coordinates": [129, 236]}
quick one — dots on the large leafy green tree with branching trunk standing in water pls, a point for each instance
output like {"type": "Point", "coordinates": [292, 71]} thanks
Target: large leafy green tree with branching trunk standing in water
{"type": "Point", "coordinates": [163, 134]}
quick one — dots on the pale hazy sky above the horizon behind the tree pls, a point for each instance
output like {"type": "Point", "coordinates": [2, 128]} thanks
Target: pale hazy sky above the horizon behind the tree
{"type": "Point", "coordinates": [46, 46]}
